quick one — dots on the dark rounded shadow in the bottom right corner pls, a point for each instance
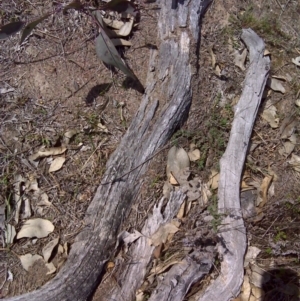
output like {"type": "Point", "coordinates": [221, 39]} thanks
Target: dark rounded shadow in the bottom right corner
{"type": "Point", "coordinates": [280, 284]}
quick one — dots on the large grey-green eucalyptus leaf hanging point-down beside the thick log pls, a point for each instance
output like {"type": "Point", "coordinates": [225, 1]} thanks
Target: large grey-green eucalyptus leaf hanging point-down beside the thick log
{"type": "Point", "coordinates": [107, 52]}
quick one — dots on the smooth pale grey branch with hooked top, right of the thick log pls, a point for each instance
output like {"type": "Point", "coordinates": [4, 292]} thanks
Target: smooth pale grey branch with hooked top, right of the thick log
{"type": "Point", "coordinates": [233, 233]}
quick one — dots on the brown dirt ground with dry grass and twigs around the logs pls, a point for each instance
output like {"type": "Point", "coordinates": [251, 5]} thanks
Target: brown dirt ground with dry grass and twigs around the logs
{"type": "Point", "coordinates": [56, 84]}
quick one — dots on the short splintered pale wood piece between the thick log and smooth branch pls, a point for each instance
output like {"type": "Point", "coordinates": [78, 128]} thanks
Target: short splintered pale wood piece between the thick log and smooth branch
{"type": "Point", "coordinates": [131, 273]}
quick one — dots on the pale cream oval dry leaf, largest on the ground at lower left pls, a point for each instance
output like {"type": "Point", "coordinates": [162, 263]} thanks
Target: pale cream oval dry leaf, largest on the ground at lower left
{"type": "Point", "coordinates": [37, 227]}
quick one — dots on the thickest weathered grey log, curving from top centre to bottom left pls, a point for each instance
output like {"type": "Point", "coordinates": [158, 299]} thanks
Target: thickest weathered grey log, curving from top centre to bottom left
{"type": "Point", "coordinates": [164, 107]}
